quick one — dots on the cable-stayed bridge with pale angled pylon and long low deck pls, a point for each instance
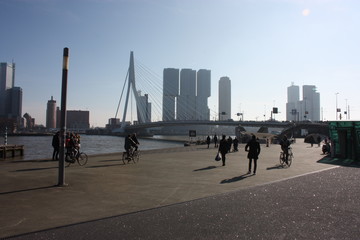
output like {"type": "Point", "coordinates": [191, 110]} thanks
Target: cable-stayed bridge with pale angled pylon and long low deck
{"type": "Point", "coordinates": [149, 112]}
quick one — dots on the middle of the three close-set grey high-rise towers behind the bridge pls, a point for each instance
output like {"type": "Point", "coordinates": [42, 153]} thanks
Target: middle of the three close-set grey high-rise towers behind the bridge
{"type": "Point", "coordinates": [186, 102]}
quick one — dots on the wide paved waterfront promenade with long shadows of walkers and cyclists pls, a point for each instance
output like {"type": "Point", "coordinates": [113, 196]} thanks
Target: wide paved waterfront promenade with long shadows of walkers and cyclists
{"type": "Point", "coordinates": [179, 193]}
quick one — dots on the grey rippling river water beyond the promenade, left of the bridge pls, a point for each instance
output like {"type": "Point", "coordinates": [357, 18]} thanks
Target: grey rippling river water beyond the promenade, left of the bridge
{"type": "Point", "coordinates": [39, 147]}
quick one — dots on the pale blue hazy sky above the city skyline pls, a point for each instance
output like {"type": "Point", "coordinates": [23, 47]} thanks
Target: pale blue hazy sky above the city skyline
{"type": "Point", "coordinates": [261, 45]}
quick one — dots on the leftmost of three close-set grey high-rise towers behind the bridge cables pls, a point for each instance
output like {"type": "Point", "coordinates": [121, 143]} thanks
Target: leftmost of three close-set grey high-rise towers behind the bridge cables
{"type": "Point", "coordinates": [170, 93]}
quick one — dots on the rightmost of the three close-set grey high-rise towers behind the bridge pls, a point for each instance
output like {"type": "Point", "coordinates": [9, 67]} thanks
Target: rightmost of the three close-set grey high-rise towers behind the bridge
{"type": "Point", "coordinates": [203, 92]}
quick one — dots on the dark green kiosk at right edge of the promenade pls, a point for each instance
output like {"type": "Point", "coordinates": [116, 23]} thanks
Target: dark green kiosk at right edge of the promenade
{"type": "Point", "coordinates": [345, 139]}
